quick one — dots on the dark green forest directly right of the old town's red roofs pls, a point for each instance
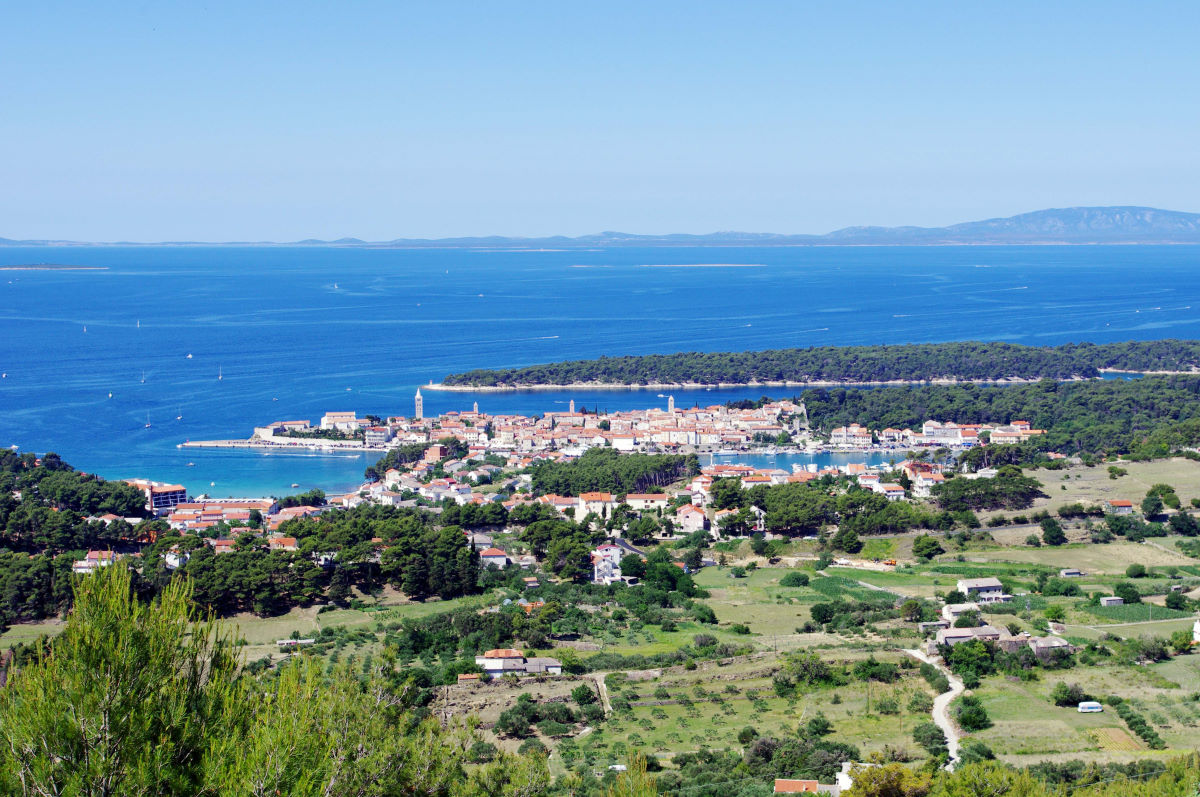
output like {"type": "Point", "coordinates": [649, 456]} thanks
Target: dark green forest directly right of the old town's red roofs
{"type": "Point", "coordinates": [1147, 417]}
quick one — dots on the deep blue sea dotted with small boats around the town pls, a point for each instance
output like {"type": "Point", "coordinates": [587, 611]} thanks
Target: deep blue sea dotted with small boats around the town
{"type": "Point", "coordinates": [297, 332]}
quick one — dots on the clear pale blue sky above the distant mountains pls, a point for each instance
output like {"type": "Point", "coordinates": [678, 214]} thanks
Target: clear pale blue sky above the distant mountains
{"type": "Point", "coordinates": [289, 121]}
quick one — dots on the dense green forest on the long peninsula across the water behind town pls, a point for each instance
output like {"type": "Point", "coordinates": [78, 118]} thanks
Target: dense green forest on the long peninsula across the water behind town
{"type": "Point", "coordinates": [970, 361]}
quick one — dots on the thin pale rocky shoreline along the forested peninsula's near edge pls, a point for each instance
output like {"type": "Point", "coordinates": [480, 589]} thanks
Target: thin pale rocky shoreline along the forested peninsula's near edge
{"type": "Point", "coordinates": [787, 383]}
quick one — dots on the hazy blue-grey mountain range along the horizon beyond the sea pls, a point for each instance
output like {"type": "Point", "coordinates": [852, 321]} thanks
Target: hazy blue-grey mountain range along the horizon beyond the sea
{"type": "Point", "coordinates": [1117, 225]}
